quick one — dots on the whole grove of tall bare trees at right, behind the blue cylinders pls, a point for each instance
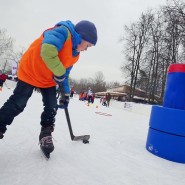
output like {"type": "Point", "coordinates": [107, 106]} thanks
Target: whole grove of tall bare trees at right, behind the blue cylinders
{"type": "Point", "coordinates": [152, 44]}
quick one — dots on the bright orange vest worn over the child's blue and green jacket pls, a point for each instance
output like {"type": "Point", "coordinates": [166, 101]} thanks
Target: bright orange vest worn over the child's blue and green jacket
{"type": "Point", "coordinates": [33, 70]}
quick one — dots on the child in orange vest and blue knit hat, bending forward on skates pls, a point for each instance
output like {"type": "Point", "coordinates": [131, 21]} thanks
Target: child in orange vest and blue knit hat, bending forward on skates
{"type": "Point", "coordinates": [48, 62]}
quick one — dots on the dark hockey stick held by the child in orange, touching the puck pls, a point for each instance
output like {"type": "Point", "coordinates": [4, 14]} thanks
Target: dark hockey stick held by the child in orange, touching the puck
{"type": "Point", "coordinates": [84, 138]}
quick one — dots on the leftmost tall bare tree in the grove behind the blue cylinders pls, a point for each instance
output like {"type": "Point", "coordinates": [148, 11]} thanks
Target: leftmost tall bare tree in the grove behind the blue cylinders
{"type": "Point", "coordinates": [135, 41]}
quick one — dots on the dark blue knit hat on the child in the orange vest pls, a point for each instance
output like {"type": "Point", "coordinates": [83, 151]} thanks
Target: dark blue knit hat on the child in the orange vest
{"type": "Point", "coordinates": [87, 30]}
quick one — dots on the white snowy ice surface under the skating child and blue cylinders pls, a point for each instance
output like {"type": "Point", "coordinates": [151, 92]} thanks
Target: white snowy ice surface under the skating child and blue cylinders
{"type": "Point", "coordinates": [116, 154]}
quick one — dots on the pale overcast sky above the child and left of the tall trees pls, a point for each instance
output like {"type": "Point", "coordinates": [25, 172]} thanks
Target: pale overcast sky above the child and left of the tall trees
{"type": "Point", "coordinates": [26, 20]}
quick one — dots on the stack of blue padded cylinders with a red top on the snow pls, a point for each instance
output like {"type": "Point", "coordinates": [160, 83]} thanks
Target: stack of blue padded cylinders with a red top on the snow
{"type": "Point", "coordinates": [166, 133]}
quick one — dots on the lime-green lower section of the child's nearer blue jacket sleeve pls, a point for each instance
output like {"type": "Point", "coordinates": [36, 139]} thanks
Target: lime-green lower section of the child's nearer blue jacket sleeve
{"type": "Point", "coordinates": [49, 55]}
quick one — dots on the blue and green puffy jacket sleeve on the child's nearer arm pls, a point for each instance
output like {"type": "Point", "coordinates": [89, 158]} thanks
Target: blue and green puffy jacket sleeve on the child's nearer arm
{"type": "Point", "coordinates": [52, 43]}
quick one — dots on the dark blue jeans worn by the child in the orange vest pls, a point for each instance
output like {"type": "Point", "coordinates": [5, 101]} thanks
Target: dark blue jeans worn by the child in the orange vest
{"type": "Point", "coordinates": [17, 102]}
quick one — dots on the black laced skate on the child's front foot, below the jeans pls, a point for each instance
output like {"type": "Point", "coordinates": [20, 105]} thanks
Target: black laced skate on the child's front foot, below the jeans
{"type": "Point", "coordinates": [45, 140]}
